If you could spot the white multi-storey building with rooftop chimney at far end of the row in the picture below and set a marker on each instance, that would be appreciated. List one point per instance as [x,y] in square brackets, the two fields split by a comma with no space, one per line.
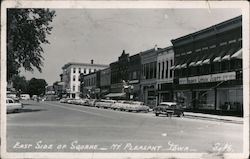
[71,76]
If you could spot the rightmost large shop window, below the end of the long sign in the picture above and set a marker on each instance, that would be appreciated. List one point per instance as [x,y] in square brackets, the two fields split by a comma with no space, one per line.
[230,99]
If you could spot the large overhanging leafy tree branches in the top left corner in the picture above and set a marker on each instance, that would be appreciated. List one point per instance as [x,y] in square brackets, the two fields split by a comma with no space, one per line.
[26,31]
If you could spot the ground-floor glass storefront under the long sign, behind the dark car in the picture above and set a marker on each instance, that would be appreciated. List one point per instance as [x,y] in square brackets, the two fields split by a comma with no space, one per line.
[221,97]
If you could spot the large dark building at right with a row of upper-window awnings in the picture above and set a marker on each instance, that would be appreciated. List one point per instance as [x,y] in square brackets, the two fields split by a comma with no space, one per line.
[208,69]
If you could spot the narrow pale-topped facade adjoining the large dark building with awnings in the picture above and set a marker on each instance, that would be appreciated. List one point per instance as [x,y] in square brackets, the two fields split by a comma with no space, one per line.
[165,74]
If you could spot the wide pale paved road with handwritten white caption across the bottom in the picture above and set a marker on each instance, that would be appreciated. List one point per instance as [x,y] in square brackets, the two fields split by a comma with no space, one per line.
[57,127]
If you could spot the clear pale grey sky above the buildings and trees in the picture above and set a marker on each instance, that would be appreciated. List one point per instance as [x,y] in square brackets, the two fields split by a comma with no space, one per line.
[80,35]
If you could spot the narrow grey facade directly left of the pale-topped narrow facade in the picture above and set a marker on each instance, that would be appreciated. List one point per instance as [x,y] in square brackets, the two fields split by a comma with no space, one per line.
[148,76]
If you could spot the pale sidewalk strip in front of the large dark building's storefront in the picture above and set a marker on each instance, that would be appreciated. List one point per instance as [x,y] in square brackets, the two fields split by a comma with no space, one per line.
[231,119]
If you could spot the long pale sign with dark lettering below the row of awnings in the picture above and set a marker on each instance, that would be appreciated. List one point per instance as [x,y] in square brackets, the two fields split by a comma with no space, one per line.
[209,78]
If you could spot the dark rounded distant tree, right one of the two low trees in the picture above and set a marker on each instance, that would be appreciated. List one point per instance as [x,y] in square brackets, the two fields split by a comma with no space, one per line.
[37,87]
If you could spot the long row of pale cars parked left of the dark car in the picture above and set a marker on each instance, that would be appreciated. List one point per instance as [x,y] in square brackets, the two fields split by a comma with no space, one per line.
[121,105]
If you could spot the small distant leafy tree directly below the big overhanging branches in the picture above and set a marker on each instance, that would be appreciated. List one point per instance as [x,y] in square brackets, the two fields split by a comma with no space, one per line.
[20,83]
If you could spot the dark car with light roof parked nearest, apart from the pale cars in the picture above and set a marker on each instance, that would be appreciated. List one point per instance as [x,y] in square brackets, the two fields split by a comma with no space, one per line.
[169,109]
